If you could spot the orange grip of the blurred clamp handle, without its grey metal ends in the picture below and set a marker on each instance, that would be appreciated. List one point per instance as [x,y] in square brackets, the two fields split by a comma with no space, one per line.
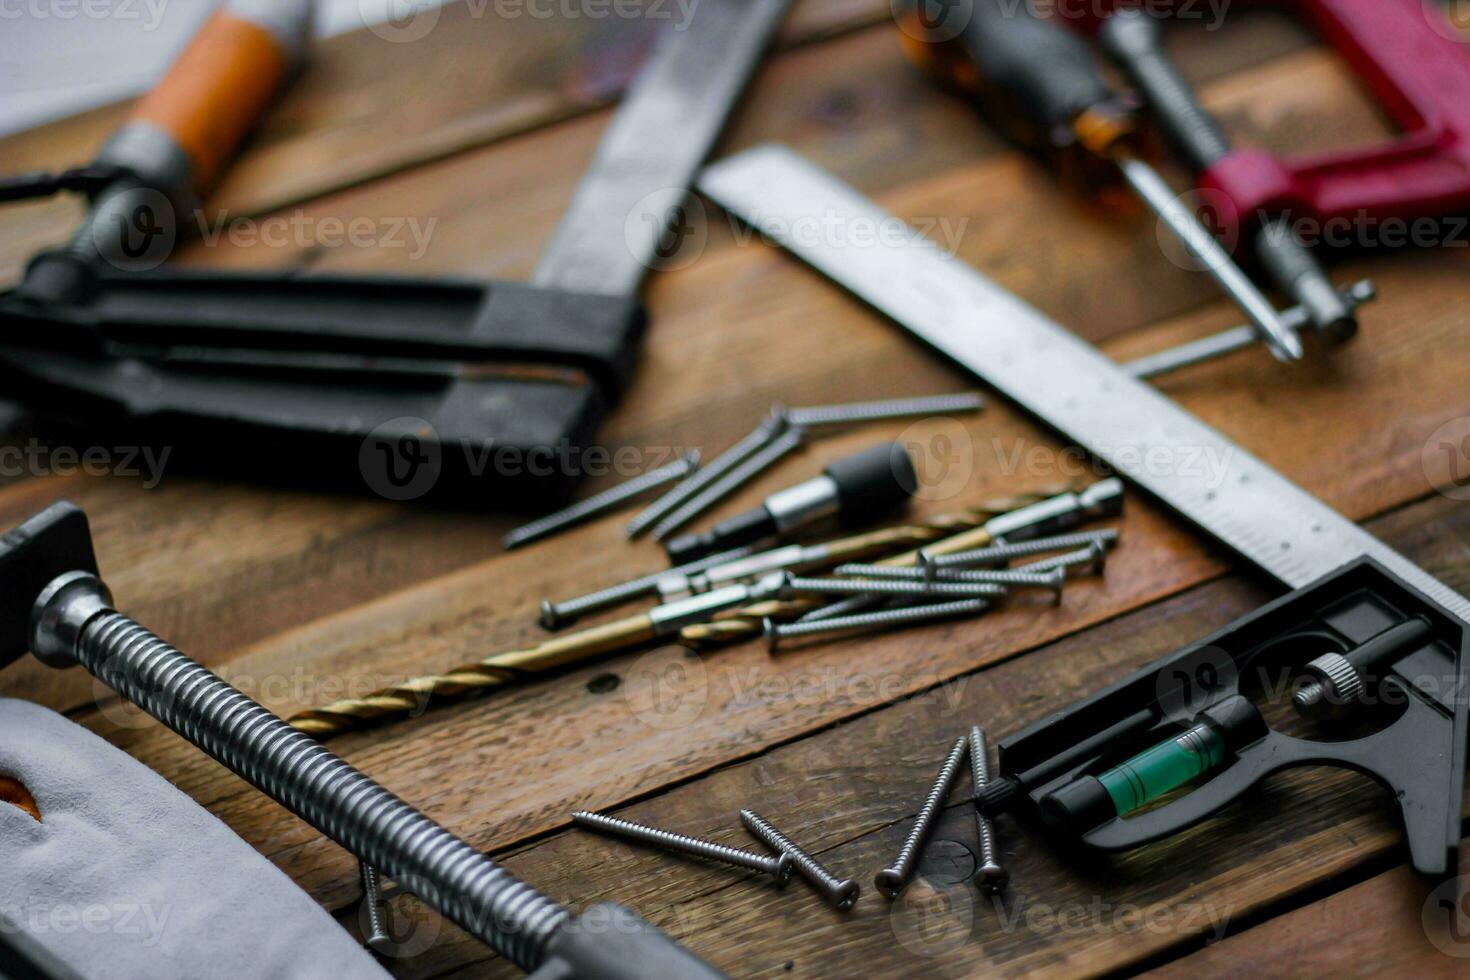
[220,87]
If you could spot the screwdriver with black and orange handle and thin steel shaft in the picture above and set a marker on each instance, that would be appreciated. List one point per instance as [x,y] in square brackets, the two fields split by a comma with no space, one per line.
[1041,86]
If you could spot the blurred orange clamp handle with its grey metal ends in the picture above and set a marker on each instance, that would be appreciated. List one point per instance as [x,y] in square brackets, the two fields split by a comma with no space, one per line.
[183,134]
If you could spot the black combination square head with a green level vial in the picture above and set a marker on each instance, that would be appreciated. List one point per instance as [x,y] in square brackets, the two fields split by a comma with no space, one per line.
[1102,771]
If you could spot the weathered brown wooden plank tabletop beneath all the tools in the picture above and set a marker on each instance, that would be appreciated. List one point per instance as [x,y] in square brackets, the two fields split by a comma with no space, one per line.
[478,133]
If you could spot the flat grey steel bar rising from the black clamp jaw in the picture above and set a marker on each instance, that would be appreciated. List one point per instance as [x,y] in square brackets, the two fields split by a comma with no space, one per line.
[675,109]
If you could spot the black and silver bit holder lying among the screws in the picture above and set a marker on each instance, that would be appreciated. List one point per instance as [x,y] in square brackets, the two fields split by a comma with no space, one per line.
[853,490]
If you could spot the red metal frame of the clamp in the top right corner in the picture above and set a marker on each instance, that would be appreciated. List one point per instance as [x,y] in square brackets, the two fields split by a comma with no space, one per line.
[1422,77]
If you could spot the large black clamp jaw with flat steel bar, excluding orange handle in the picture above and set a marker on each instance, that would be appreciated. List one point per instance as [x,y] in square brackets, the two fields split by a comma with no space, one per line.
[456,387]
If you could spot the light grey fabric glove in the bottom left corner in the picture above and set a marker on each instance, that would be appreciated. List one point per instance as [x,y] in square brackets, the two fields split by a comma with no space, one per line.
[124,876]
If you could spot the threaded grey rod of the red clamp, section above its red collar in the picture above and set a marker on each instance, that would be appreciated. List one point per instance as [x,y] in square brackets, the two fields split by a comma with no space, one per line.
[1134,40]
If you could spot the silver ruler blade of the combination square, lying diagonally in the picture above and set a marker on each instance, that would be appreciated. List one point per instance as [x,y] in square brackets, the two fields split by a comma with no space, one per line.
[1046,370]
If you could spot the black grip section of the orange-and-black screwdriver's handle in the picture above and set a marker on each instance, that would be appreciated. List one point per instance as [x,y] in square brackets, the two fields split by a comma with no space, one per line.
[1041,74]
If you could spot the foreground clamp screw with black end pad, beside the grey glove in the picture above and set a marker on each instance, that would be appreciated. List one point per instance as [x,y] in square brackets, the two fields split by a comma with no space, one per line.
[54,603]
